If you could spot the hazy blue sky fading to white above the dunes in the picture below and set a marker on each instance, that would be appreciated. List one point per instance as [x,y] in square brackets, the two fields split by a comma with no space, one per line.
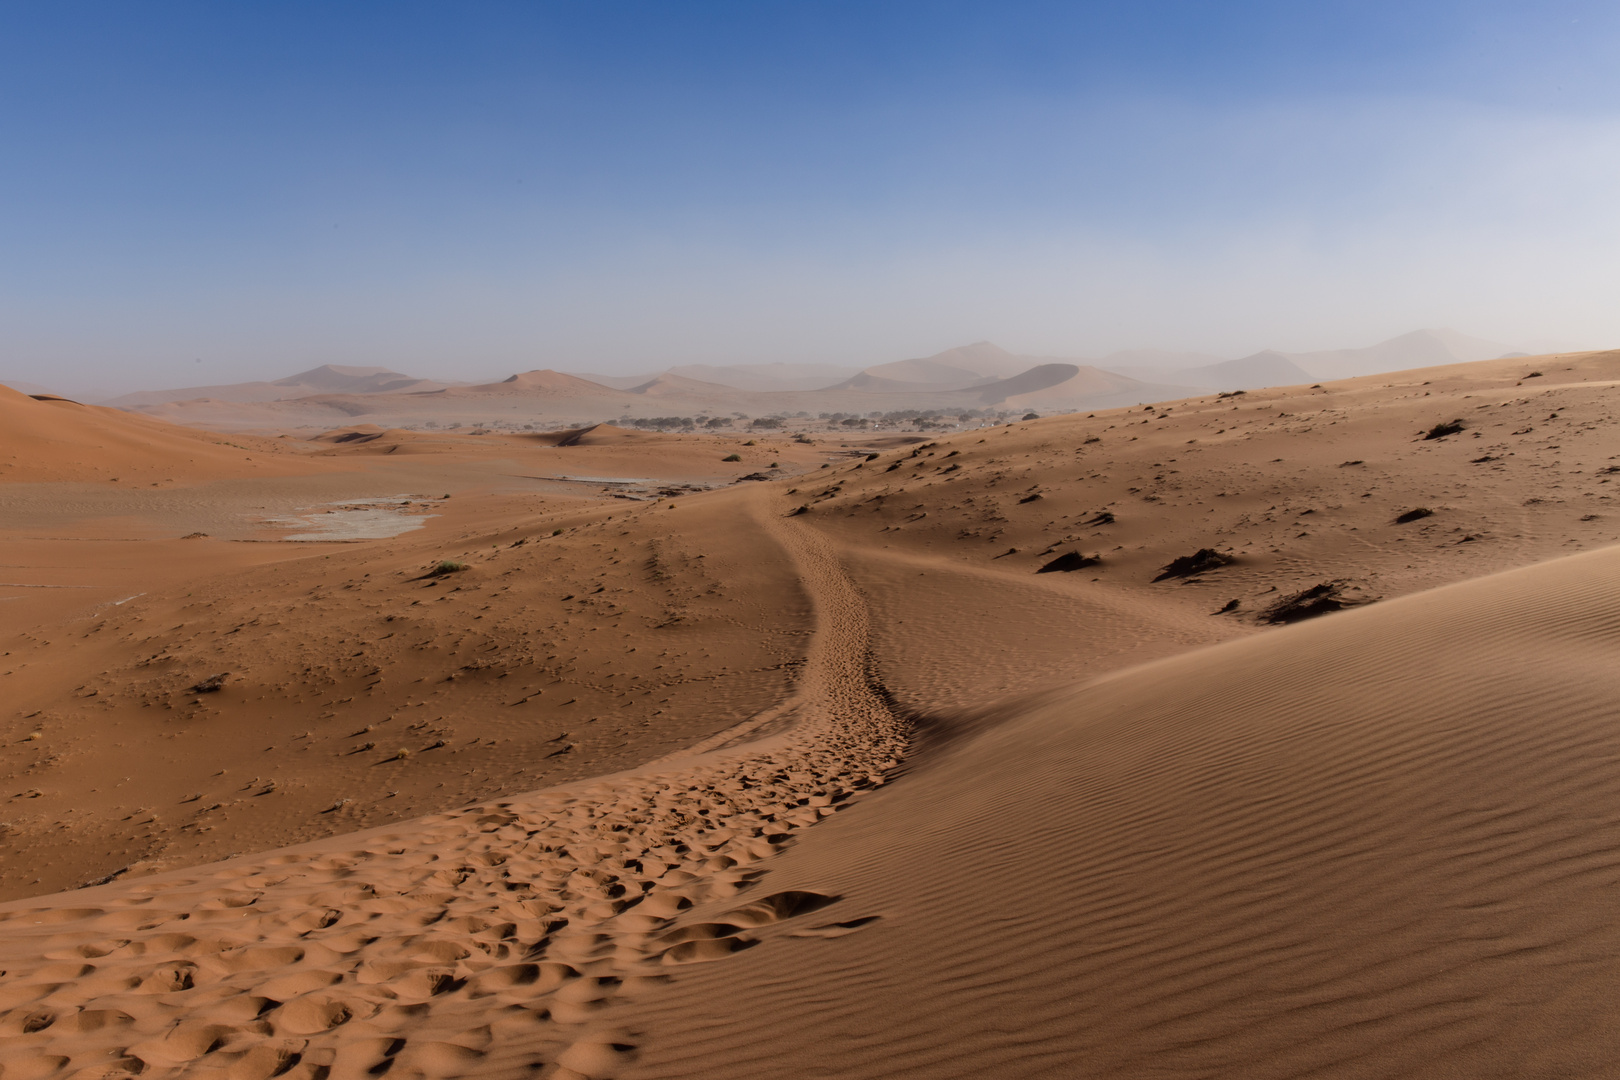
[216,192]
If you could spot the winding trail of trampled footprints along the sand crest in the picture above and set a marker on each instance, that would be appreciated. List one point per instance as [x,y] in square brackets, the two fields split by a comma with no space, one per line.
[484,942]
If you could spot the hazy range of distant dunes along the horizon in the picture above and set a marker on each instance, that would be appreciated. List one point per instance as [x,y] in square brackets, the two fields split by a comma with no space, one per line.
[965,378]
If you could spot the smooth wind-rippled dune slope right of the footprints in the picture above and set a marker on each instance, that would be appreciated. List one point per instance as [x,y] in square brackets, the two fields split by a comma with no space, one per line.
[1381,844]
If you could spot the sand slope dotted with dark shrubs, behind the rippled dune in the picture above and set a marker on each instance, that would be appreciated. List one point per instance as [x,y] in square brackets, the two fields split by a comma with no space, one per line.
[1298,485]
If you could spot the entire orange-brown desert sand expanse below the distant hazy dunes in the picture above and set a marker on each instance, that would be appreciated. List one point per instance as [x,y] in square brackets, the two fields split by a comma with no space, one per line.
[1247,736]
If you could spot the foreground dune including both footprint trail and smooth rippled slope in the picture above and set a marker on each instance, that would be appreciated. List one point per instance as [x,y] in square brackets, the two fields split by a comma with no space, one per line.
[1381,844]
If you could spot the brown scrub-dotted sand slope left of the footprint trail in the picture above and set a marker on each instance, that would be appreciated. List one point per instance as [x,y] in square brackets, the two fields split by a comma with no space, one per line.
[364,692]
